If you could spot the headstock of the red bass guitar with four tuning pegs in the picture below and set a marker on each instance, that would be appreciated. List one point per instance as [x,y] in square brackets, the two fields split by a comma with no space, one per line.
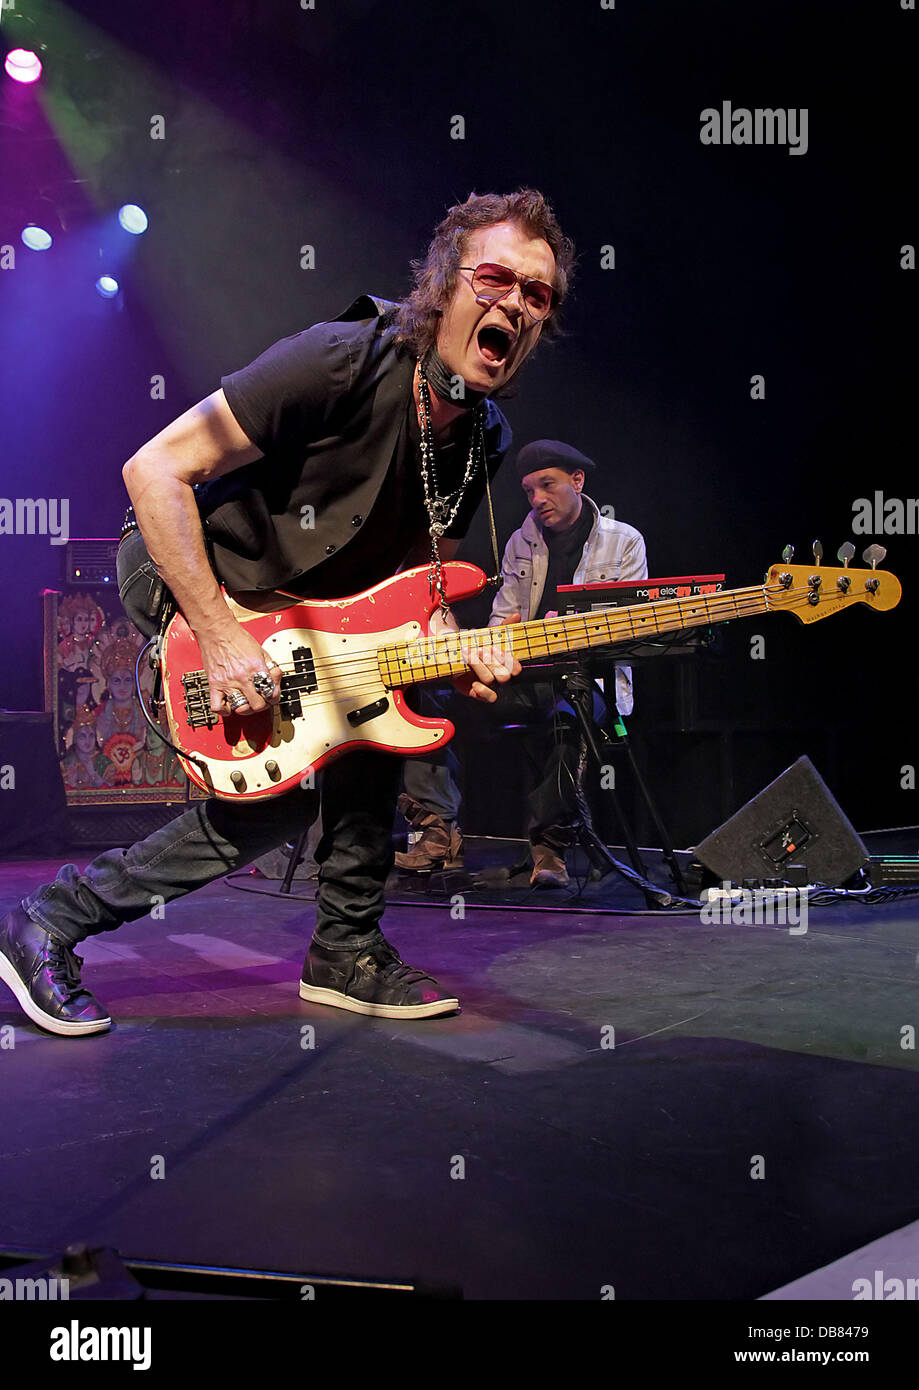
[814,591]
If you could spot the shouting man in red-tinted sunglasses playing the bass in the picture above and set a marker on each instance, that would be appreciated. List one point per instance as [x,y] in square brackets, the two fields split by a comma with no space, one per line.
[377,430]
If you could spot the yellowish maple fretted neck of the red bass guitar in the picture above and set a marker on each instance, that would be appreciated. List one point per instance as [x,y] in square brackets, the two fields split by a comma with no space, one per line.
[433,658]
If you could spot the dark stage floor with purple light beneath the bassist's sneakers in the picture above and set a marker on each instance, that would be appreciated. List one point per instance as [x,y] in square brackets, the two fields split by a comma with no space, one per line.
[738,1052]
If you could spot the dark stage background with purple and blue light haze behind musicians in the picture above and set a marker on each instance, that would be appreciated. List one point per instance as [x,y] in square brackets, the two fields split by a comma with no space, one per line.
[333,129]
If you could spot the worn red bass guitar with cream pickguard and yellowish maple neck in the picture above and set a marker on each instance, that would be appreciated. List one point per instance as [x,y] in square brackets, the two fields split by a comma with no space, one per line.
[348,662]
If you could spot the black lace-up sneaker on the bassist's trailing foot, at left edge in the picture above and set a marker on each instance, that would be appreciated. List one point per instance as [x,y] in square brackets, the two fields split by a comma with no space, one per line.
[44,974]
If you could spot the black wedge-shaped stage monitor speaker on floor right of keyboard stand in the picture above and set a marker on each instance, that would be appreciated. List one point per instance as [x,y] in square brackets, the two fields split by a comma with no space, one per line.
[795,821]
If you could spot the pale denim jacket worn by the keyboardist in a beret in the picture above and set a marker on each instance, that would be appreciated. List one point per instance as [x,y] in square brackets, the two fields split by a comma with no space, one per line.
[612,551]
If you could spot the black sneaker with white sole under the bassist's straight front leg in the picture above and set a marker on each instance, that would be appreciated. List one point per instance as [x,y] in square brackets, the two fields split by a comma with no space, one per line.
[372,981]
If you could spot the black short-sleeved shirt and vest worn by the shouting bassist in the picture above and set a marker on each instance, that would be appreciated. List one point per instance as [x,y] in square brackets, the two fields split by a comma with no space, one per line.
[336,502]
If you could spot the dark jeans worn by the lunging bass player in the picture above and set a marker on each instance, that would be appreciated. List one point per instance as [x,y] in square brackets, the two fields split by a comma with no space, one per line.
[357,796]
